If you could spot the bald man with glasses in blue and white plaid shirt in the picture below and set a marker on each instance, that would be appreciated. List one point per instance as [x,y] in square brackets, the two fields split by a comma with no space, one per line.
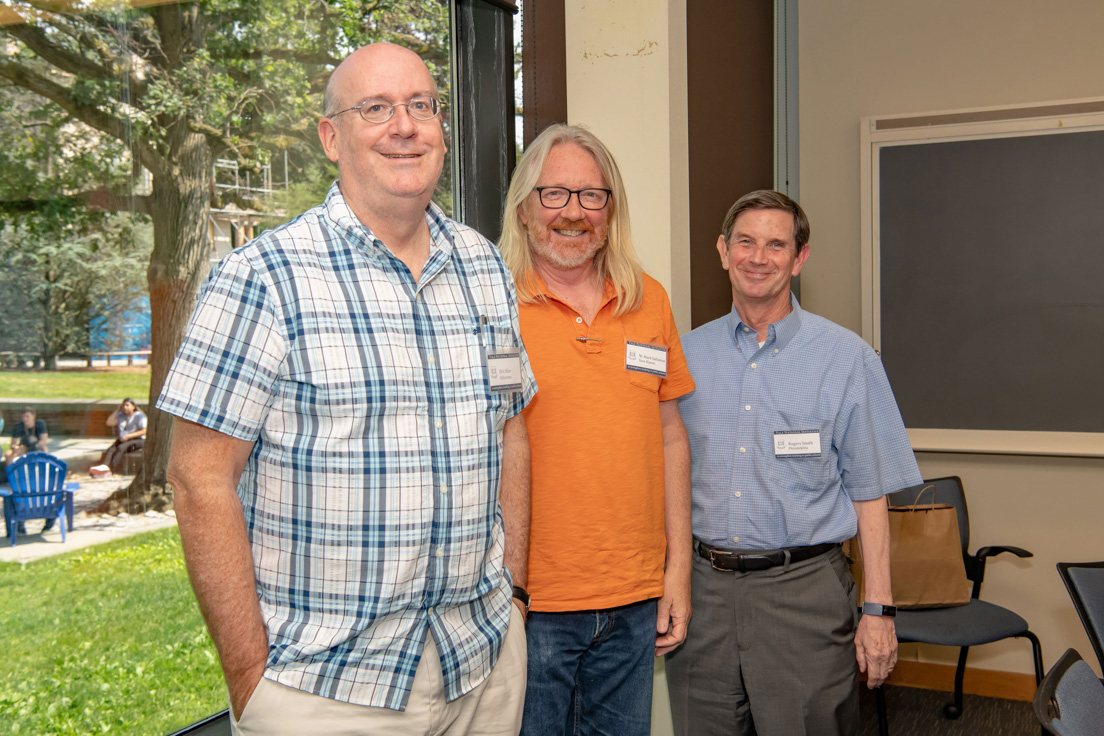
[349,463]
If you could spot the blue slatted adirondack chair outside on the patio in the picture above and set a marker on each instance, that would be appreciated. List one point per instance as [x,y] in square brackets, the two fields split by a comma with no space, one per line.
[38,492]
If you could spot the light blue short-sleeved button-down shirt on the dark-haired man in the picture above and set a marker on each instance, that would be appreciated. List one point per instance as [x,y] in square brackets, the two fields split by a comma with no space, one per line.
[811,377]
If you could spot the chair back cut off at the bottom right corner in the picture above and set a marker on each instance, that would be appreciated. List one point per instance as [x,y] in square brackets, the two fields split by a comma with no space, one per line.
[1070,700]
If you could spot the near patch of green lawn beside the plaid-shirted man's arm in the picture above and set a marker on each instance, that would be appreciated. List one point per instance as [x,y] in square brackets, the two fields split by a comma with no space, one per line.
[105,641]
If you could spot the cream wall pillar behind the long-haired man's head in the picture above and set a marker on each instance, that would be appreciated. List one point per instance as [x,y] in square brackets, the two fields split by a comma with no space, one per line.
[627,82]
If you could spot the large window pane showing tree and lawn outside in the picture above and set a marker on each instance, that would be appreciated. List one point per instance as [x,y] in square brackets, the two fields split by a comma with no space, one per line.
[141,142]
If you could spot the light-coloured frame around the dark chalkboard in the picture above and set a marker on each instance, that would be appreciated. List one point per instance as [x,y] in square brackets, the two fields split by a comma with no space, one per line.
[953,126]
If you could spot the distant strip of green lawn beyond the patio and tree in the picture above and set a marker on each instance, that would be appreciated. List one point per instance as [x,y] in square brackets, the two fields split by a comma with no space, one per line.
[103,383]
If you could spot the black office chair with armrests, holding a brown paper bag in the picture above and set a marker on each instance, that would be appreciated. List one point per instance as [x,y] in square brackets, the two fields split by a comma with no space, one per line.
[978,623]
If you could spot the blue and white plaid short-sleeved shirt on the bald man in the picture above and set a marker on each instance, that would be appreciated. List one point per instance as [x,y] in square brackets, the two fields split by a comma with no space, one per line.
[371,495]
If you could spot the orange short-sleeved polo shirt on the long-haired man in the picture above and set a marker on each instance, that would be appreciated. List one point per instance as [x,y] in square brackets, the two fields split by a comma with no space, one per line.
[597,537]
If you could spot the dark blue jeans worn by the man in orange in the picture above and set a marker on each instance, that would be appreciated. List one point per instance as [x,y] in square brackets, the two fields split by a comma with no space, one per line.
[590,673]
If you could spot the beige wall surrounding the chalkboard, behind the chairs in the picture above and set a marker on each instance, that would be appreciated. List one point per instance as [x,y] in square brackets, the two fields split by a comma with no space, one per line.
[862,58]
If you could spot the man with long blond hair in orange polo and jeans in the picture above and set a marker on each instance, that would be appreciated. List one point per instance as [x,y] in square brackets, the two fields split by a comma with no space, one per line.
[610,537]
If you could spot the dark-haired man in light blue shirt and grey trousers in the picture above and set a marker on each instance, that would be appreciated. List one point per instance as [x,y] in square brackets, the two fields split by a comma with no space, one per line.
[795,440]
